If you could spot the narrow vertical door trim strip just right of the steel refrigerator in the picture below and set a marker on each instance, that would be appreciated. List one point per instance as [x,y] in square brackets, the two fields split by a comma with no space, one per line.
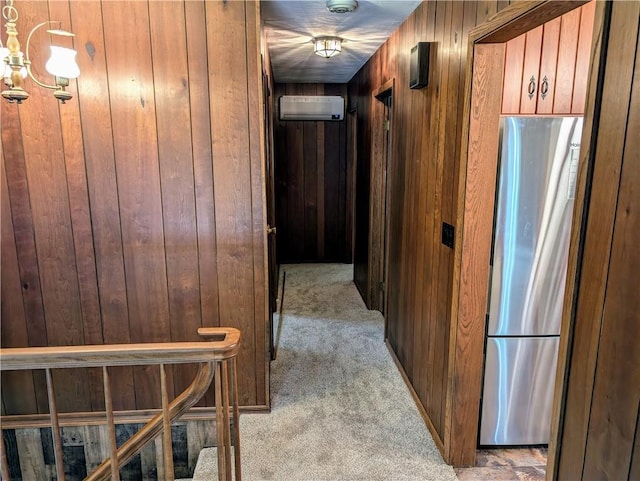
[589,133]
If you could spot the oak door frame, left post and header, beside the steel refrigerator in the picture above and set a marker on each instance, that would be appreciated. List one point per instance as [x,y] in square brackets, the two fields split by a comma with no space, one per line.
[466,361]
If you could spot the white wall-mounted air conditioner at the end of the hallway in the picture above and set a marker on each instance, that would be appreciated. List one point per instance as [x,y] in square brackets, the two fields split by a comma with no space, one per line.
[304,107]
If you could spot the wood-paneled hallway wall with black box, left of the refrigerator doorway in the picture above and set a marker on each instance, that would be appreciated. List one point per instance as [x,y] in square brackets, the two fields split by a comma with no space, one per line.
[423,184]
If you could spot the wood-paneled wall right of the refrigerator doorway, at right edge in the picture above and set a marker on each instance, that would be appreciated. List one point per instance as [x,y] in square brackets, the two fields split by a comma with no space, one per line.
[599,432]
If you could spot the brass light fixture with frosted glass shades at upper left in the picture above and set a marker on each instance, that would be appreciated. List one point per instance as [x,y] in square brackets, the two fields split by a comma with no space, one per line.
[62,64]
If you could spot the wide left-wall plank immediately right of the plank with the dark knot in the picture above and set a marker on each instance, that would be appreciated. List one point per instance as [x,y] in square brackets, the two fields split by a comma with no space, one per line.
[133,111]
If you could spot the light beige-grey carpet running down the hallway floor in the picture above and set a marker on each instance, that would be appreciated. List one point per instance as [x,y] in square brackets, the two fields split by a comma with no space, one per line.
[340,409]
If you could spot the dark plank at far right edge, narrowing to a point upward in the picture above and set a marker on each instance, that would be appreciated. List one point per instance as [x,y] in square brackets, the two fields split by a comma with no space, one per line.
[615,408]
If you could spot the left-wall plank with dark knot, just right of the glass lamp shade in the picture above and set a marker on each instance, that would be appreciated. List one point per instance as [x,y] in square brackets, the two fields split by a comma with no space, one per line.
[99,164]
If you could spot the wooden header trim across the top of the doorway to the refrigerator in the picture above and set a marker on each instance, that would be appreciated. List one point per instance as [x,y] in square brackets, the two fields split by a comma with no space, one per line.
[520,17]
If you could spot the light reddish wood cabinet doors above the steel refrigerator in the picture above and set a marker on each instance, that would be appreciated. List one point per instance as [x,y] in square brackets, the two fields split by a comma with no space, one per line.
[546,69]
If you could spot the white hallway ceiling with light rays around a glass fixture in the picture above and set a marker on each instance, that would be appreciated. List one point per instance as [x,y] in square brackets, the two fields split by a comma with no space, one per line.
[292,24]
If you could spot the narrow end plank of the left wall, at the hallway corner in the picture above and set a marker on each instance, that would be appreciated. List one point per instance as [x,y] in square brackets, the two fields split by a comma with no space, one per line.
[258,204]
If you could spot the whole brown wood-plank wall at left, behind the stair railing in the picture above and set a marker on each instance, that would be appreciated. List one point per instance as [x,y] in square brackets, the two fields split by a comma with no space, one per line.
[135,212]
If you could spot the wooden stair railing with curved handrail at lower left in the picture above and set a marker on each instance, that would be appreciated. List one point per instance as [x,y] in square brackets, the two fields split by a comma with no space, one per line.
[212,355]
